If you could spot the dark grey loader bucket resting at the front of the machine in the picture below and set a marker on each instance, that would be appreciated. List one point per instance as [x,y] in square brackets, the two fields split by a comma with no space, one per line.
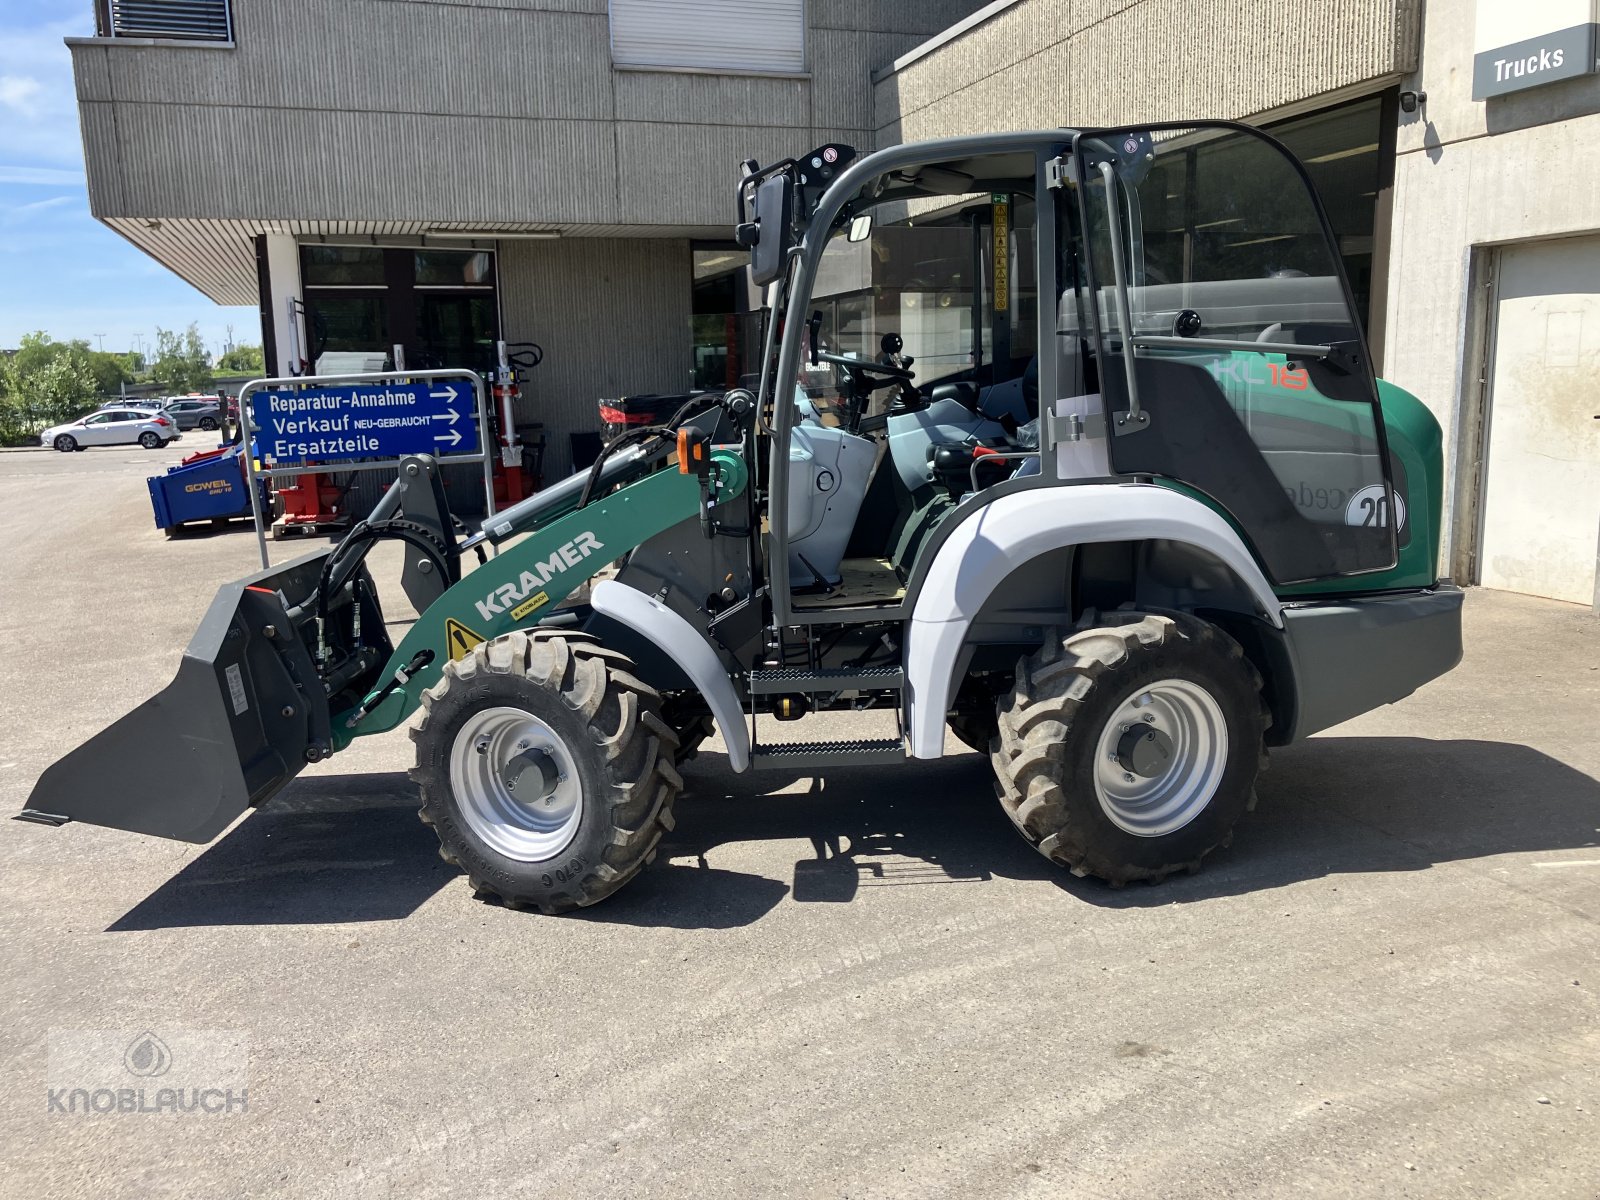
[246,713]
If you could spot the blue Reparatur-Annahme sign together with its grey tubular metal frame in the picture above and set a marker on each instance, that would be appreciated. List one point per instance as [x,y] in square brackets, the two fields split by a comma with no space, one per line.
[334,420]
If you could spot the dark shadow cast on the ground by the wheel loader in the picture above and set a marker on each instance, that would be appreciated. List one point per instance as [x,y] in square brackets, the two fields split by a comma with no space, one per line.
[350,849]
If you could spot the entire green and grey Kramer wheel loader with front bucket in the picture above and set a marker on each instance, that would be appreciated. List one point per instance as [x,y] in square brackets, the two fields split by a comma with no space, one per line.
[1065,442]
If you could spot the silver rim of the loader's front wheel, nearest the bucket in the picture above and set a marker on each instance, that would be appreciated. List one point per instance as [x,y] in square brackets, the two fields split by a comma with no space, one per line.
[484,764]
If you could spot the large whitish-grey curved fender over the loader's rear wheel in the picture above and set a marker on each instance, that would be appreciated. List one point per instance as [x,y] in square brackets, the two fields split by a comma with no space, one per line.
[1015,529]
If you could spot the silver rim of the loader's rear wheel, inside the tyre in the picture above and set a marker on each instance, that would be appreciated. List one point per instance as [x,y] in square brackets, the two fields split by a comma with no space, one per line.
[1190,730]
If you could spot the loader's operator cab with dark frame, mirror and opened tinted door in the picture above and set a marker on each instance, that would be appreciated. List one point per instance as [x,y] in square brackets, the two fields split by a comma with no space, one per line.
[1196,330]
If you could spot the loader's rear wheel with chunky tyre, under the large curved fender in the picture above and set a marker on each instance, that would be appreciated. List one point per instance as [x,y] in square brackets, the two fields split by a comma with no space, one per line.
[1132,750]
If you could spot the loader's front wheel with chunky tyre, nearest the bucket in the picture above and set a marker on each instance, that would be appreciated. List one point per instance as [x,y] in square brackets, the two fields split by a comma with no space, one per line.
[546,770]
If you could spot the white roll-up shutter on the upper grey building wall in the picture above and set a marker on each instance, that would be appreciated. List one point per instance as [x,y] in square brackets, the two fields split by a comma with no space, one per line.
[710,34]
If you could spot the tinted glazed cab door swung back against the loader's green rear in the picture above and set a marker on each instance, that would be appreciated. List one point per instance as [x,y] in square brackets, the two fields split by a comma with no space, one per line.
[1249,361]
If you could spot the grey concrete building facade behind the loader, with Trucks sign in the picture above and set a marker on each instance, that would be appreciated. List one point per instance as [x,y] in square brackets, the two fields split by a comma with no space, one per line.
[590,148]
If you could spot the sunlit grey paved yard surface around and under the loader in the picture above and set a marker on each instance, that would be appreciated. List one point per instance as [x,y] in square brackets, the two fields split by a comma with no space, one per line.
[1390,986]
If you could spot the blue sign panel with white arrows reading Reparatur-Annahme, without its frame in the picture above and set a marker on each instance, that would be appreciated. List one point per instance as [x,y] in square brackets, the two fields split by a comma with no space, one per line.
[324,425]
